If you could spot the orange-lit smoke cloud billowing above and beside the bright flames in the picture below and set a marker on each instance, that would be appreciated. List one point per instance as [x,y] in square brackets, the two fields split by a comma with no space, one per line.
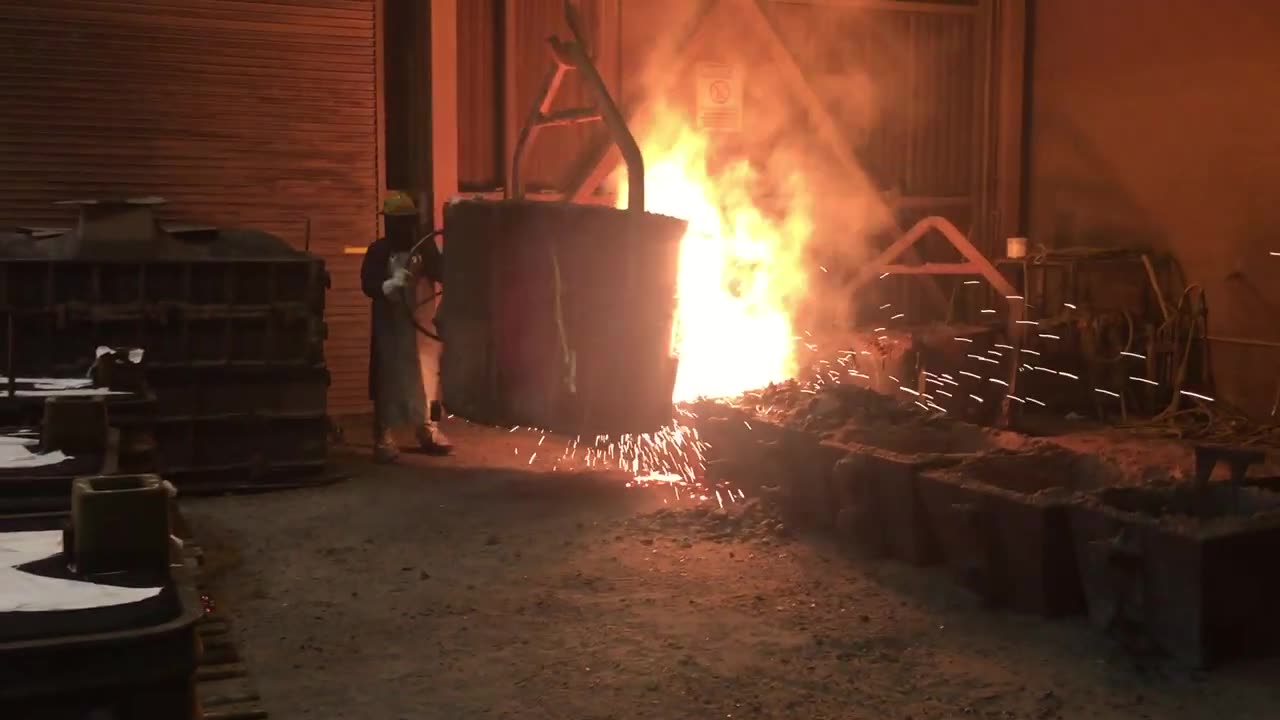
[830,217]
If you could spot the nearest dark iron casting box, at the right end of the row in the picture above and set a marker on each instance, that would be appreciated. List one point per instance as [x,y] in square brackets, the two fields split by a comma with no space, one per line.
[1201,587]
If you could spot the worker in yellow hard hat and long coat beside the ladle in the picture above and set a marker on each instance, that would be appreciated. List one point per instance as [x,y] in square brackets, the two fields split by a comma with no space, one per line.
[400,276]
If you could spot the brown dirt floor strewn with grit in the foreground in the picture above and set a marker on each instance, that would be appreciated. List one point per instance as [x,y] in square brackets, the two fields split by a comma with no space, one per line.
[488,586]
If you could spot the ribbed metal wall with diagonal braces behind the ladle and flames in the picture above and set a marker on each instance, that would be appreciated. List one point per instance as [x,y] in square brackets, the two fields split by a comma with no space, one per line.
[925,65]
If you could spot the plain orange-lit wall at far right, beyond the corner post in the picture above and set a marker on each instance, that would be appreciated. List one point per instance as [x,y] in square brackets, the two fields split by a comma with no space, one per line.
[1153,122]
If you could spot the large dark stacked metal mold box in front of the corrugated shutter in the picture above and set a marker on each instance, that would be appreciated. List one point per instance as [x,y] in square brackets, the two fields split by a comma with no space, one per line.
[231,325]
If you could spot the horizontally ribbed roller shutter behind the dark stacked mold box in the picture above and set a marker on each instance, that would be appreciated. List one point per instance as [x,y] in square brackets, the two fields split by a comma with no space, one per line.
[250,113]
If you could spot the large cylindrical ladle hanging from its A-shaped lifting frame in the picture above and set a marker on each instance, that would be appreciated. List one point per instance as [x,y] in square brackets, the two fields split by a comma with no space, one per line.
[561,316]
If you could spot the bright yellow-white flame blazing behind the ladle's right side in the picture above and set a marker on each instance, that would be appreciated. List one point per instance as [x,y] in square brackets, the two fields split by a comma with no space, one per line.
[739,268]
